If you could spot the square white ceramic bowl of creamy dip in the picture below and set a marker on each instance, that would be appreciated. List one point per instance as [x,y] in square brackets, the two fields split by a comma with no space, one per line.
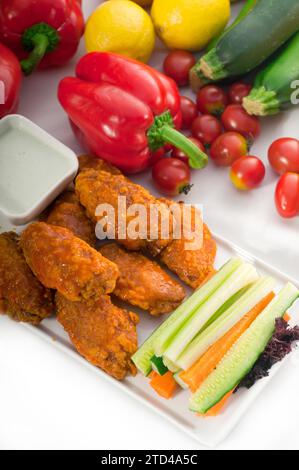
[34,169]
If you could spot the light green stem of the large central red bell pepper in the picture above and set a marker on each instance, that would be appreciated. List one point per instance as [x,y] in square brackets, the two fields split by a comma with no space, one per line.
[162,132]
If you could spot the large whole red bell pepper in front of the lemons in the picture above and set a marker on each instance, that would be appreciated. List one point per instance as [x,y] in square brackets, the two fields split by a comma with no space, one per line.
[123,111]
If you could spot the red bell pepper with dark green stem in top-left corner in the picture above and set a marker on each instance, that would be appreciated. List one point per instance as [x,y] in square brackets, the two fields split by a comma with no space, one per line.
[42,33]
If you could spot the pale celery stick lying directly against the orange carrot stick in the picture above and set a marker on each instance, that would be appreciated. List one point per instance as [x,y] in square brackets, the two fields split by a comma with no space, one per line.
[220,327]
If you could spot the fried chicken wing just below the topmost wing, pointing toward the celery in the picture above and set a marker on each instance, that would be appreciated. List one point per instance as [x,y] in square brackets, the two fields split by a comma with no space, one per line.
[143,282]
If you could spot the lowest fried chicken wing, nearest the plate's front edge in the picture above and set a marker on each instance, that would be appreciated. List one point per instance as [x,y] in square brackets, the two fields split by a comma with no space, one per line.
[101,332]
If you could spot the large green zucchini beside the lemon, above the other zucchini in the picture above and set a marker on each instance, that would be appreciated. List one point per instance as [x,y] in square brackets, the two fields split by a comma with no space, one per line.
[250,42]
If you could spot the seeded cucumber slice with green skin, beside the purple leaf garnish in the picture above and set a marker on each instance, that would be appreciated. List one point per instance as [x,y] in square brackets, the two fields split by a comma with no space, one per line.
[244,354]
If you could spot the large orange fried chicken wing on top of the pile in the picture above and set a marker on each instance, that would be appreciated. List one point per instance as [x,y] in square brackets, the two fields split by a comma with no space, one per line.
[98,187]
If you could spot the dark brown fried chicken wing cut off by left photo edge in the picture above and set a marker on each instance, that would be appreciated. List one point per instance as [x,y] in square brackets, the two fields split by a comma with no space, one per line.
[22,296]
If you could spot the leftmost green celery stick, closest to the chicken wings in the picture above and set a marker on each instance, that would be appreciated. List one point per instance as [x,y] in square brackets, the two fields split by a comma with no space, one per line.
[159,339]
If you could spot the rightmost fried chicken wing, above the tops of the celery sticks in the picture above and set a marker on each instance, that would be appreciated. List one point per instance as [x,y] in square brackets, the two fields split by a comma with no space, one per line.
[193,266]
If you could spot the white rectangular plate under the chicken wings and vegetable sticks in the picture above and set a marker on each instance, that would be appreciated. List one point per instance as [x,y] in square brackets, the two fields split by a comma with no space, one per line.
[207,431]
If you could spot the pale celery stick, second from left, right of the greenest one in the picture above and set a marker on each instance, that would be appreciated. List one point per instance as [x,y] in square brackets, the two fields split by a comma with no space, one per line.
[243,276]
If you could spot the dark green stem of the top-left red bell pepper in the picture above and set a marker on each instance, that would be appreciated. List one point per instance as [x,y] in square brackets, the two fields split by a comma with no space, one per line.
[38,40]
